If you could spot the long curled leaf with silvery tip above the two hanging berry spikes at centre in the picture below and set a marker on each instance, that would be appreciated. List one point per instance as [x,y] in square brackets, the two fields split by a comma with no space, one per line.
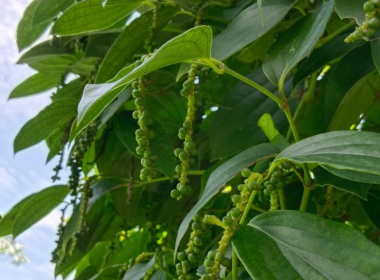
[193,44]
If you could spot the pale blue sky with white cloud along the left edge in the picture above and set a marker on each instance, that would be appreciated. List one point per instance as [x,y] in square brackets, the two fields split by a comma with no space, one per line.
[26,172]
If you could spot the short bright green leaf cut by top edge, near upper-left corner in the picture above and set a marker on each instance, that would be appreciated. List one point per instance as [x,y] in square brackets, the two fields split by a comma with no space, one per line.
[47,10]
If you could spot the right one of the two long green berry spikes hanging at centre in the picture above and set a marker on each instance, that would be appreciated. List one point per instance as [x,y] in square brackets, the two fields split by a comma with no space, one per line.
[185,133]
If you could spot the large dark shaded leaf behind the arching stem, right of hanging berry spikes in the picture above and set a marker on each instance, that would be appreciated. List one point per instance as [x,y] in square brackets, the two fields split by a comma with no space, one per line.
[243,106]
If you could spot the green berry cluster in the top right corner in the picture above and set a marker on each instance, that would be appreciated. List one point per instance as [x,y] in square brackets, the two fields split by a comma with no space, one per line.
[367,30]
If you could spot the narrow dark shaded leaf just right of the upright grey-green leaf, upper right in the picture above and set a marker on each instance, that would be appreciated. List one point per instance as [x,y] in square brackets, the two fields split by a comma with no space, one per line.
[323,55]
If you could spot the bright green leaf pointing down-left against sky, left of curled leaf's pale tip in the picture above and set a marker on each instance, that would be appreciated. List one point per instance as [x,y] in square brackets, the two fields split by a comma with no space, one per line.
[45,123]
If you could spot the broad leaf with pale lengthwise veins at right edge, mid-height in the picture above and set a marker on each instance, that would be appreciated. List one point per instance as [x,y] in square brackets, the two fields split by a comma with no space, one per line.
[352,150]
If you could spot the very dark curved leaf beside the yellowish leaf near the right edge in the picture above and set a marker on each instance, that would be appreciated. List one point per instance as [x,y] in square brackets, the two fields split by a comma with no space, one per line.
[355,65]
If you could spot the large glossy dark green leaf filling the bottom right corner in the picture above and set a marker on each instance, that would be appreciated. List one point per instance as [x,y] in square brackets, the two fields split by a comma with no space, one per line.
[300,245]
